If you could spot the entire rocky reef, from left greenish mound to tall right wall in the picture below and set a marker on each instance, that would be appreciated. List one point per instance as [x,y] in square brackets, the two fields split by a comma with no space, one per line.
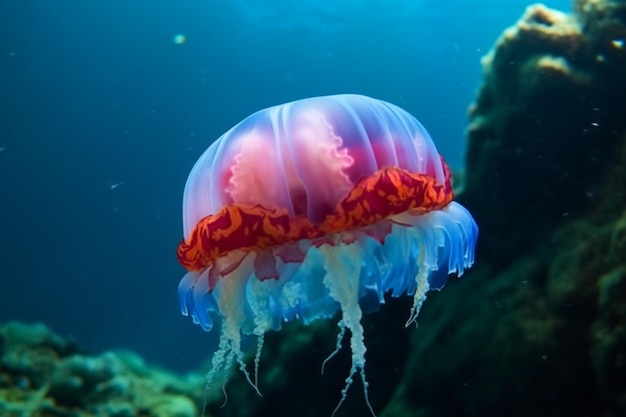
[537,328]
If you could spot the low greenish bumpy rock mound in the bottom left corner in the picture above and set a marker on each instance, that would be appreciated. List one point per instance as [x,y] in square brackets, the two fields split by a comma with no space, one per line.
[42,374]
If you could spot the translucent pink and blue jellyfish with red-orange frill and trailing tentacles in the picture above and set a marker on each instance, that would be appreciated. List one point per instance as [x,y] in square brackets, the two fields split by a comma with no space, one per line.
[312,208]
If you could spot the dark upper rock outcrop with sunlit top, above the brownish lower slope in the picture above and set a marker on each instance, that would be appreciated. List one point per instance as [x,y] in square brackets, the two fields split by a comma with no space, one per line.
[545,123]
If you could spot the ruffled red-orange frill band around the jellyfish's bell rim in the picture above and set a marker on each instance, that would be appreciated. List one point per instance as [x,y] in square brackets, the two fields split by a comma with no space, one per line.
[388,192]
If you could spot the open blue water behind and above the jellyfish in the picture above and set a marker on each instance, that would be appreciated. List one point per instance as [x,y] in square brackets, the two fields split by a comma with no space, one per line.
[103,114]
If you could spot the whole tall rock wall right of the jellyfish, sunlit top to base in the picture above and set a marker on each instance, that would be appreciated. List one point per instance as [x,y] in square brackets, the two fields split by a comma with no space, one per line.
[539,327]
